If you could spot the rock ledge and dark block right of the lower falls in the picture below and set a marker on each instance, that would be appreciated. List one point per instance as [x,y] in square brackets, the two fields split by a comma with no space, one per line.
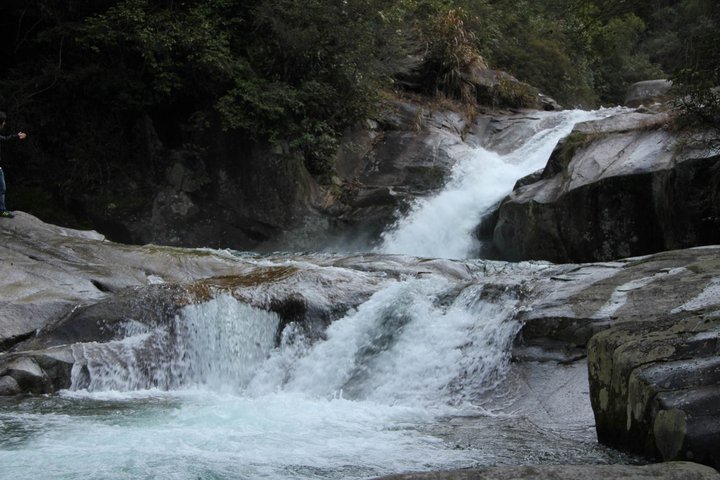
[651,326]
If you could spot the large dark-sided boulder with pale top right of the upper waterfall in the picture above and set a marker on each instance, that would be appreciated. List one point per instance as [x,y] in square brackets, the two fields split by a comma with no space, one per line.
[614,188]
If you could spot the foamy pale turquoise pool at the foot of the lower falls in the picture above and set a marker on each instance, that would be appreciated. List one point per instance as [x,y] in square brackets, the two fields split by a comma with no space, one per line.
[194,434]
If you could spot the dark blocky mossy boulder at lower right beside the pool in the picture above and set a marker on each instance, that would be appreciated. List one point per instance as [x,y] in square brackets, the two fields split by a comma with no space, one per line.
[655,374]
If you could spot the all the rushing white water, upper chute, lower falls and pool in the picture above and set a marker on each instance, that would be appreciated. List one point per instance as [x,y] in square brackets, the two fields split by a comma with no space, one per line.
[418,377]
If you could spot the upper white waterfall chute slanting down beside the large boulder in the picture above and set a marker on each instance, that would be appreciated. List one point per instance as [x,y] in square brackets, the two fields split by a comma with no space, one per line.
[442,226]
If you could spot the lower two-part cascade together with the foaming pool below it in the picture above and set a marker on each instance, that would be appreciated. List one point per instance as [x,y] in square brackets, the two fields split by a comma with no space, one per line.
[211,396]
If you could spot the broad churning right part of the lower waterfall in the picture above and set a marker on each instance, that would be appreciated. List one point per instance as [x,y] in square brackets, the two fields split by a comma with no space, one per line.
[404,346]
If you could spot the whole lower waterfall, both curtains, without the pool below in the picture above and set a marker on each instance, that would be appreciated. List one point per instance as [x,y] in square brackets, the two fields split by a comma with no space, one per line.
[407,344]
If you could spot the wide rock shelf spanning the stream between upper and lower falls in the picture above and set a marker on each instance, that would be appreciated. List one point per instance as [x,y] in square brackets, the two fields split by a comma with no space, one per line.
[648,328]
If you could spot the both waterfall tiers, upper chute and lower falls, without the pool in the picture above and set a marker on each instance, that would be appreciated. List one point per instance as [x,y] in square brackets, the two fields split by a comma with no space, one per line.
[405,344]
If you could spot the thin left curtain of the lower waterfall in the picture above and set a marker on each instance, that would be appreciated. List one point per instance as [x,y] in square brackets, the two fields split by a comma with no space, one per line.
[217,345]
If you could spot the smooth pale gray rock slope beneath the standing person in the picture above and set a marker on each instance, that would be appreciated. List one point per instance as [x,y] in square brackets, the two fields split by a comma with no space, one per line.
[47,271]
